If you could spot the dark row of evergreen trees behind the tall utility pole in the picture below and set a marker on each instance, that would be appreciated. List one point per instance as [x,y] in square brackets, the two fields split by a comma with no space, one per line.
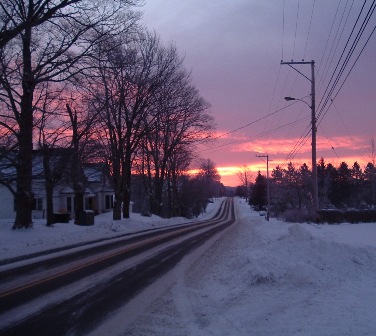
[339,187]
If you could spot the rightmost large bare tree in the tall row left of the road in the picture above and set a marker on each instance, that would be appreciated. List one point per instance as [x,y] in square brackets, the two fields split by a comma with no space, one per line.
[181,119]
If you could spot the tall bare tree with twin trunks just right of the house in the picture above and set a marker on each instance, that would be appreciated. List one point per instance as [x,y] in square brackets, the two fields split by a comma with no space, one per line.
[132,76]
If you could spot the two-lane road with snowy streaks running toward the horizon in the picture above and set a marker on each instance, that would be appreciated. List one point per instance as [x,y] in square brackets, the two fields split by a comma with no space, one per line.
[72,291]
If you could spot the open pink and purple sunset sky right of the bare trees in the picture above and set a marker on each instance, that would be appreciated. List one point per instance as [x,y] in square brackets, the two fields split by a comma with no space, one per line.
[234,51]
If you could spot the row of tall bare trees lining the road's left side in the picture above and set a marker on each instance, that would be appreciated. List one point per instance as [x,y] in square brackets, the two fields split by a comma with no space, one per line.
[85,75]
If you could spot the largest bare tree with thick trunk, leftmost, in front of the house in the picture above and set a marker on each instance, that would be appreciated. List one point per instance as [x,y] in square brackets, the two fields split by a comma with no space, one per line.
[44,41]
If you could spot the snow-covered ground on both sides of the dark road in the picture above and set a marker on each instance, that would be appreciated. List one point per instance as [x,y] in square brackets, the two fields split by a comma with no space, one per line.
[257,278]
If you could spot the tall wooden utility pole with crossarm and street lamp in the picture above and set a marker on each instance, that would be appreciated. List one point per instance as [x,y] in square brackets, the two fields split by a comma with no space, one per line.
[314,129]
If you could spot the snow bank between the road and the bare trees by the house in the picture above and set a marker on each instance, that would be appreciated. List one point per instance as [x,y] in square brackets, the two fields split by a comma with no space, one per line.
[40,237]
